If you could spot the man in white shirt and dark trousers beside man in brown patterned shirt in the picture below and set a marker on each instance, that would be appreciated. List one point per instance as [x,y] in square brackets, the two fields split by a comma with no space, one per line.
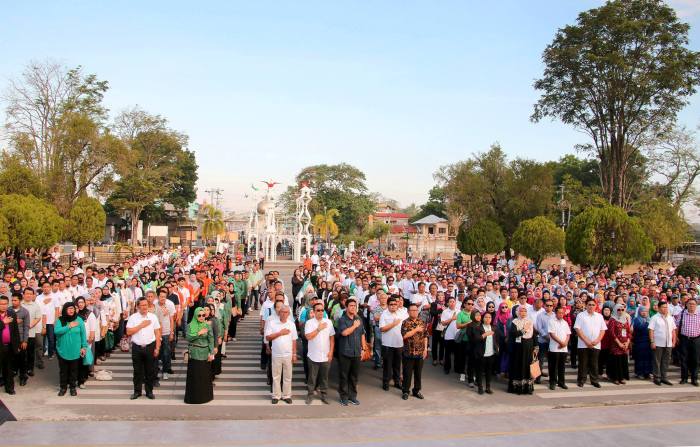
[392,342]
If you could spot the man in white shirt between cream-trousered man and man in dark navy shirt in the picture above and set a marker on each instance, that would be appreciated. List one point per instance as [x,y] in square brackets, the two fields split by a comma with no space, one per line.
[319,332]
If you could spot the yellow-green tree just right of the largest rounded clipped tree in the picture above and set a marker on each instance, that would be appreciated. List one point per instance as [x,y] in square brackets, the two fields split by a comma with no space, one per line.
[663,223]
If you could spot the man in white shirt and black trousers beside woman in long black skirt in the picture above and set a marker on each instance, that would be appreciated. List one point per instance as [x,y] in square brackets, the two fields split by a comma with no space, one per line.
[144,329]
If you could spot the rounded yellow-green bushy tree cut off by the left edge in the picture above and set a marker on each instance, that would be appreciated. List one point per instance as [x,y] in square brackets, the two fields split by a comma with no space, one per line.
[28,222]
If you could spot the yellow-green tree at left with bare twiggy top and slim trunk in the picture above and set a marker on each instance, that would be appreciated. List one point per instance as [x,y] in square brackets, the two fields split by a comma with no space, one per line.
[150,166]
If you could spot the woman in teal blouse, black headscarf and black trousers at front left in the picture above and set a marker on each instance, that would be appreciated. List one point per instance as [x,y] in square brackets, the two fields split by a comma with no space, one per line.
[71,344]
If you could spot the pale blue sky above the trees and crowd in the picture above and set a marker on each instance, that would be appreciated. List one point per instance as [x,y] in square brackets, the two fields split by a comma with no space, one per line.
[264,89]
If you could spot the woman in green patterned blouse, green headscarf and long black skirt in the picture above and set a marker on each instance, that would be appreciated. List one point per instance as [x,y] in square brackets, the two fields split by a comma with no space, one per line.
[199,388]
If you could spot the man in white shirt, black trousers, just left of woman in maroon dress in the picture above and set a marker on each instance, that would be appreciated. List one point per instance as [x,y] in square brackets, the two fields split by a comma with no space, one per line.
[590,327]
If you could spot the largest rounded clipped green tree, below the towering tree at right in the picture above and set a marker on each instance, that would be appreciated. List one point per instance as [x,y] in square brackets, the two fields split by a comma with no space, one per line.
[607,237]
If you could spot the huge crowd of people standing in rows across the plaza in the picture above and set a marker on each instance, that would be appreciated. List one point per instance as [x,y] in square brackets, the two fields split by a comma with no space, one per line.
[483,322]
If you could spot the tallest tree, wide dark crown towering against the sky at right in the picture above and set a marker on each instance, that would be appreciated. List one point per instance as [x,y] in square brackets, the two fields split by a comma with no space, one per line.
[620,74]
